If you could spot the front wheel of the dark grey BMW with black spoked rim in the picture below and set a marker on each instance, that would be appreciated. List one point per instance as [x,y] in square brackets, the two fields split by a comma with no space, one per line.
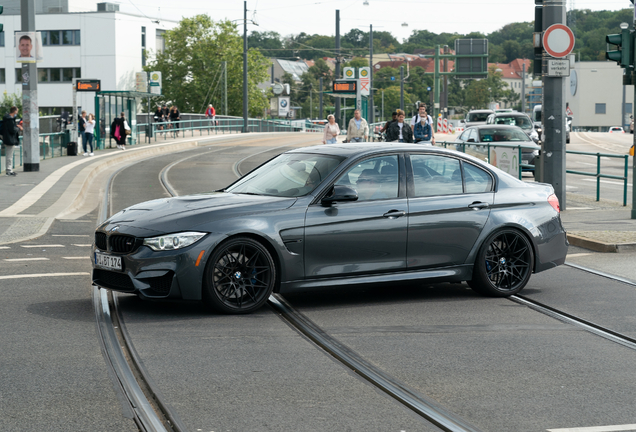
[239,277]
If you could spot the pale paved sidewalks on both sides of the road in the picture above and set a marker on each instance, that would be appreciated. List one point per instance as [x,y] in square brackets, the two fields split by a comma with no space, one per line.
[70,187]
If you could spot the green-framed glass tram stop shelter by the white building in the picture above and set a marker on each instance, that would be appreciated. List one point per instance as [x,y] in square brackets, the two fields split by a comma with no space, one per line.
[108,106]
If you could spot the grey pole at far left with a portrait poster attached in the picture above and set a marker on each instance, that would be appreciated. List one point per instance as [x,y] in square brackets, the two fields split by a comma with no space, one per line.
[30,112]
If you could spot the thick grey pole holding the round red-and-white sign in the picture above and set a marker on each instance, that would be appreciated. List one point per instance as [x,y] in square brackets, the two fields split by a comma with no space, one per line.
[553,111]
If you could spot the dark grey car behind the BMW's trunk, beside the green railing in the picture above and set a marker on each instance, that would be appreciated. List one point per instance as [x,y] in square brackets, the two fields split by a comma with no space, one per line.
[498,134]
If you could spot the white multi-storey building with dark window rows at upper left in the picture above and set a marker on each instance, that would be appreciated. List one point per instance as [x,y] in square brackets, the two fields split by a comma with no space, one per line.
[82,39]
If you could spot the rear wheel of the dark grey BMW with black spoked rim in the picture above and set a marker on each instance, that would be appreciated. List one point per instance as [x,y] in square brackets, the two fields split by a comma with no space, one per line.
[504,264]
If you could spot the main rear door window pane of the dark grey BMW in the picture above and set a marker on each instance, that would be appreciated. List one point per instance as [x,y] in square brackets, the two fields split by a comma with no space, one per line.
[436,175]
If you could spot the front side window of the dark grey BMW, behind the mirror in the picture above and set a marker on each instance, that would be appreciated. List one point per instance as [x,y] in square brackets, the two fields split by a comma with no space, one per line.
[373,179]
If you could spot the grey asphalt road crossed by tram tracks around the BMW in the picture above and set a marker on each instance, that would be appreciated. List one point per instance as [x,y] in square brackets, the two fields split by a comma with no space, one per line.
[498,365]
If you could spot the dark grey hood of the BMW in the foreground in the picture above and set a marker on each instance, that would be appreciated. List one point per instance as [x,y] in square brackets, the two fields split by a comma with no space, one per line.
[168,215]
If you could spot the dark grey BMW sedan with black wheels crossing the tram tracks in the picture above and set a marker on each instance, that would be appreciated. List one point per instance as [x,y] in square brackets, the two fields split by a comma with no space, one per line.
[332,216]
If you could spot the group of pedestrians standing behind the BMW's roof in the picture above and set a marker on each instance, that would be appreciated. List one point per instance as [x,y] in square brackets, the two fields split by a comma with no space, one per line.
[419,131]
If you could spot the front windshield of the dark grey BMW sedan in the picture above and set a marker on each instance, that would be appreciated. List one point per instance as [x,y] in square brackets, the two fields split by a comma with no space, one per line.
[287,175]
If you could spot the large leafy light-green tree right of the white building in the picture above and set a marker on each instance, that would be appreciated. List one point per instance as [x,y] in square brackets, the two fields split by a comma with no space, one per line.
[191,66]
